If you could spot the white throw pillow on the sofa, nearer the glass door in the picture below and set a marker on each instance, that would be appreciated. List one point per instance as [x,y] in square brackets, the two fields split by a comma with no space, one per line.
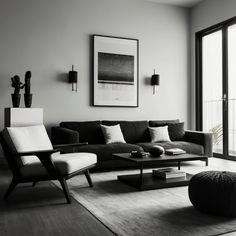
[159,134]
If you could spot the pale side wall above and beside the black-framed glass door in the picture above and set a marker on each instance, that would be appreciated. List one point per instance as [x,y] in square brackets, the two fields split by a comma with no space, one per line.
[206,14]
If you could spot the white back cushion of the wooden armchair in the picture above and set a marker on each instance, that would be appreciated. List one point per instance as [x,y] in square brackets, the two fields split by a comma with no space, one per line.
[30,138]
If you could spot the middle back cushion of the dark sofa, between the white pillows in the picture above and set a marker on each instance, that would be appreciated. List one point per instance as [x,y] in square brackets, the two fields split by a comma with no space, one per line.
[133,131]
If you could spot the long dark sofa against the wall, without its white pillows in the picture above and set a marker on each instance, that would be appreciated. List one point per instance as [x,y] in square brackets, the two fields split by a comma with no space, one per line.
[136,135]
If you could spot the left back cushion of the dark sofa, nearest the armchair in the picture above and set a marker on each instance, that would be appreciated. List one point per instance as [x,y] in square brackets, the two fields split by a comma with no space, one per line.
[89,131]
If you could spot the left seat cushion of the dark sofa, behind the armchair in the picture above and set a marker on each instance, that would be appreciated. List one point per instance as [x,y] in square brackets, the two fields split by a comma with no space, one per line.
[104,151]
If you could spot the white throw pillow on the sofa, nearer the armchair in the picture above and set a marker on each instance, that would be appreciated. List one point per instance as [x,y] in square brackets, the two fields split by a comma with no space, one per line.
[112,134]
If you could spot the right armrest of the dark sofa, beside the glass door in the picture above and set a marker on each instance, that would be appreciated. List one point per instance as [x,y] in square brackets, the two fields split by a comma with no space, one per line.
[202,138]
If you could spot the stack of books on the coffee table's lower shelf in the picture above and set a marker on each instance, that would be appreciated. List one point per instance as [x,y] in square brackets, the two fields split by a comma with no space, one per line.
[168,173]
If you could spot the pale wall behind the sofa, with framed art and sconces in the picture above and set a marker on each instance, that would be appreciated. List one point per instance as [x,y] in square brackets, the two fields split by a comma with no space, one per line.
[47,37]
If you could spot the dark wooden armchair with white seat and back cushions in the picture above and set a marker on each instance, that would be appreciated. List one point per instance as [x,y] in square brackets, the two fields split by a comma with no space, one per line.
[32,158]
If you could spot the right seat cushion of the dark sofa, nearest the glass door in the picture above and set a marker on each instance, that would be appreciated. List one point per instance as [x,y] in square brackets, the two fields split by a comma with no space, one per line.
[187,146]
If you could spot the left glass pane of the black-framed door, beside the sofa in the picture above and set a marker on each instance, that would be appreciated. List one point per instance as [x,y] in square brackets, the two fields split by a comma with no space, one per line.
[212,87]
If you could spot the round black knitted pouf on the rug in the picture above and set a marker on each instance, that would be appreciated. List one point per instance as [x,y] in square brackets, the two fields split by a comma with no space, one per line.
[214,192]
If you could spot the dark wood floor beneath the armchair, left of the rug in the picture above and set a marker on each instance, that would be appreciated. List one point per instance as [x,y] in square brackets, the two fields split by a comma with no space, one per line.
[41,210]
